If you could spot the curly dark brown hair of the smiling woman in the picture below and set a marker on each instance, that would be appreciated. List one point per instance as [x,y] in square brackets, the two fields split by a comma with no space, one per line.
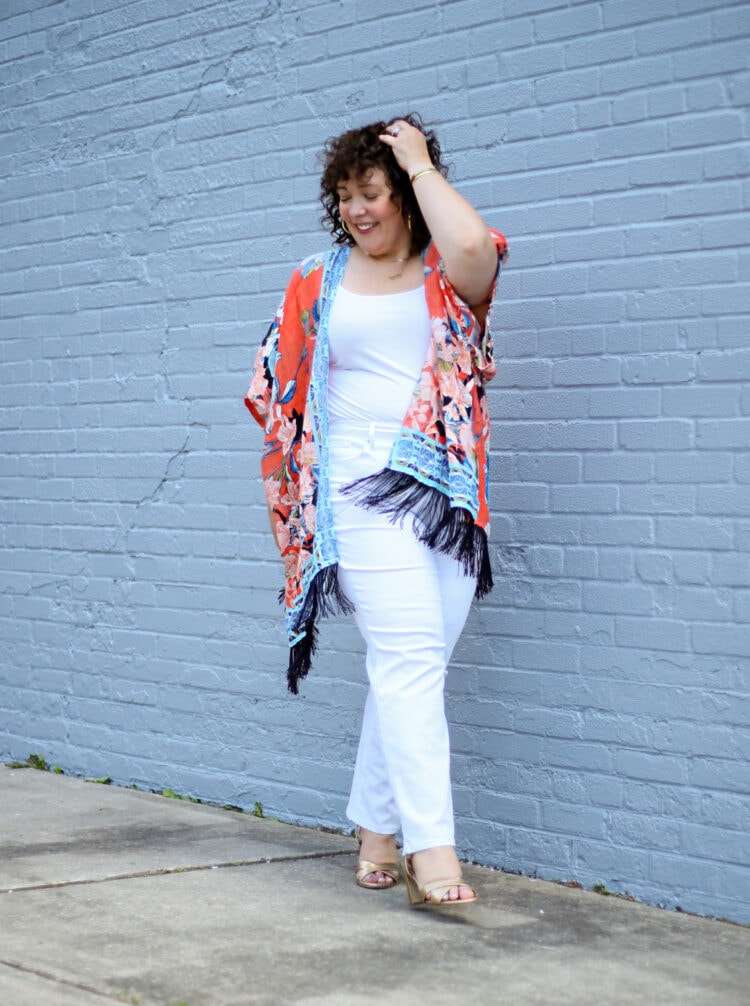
[360,150]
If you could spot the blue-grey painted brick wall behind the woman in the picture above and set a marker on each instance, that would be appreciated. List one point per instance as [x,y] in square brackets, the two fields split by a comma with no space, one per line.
[159,182]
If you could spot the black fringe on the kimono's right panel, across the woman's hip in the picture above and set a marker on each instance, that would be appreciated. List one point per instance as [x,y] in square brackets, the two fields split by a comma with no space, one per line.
[447,530]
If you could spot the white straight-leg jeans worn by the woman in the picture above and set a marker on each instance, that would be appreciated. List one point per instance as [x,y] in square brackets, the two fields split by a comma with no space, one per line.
[411,606]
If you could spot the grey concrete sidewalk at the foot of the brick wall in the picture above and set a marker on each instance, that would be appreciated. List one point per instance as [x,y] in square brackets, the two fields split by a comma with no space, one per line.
[114,896]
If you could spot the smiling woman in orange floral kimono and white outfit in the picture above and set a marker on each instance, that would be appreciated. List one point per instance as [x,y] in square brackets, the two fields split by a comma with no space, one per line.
[370,388]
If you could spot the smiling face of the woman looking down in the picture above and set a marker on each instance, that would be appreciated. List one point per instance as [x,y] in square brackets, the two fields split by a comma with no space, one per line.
[373,218]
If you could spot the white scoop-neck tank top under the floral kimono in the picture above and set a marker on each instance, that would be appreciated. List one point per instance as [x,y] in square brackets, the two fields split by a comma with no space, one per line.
[378,349]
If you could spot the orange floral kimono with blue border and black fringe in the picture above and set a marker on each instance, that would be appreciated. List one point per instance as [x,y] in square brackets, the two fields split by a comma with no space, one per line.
[438,472]
